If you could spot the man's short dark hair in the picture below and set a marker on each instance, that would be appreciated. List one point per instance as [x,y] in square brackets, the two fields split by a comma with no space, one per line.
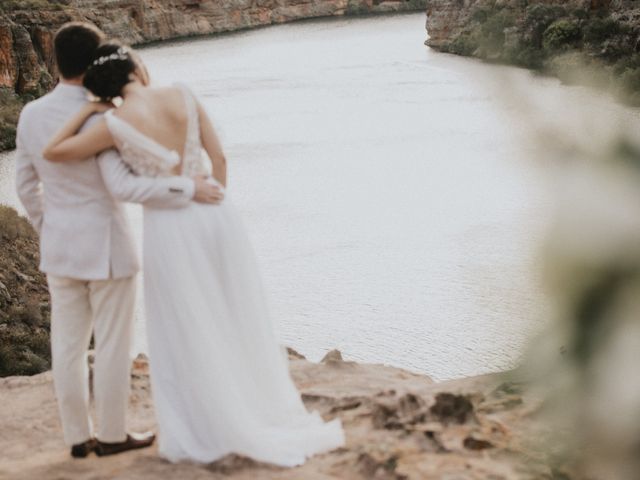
[75,44]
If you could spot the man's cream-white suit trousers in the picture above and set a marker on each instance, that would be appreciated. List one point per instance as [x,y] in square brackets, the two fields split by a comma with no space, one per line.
[78,308]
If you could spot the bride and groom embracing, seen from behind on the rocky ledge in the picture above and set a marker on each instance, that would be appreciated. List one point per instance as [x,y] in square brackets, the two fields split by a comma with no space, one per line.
[220,379]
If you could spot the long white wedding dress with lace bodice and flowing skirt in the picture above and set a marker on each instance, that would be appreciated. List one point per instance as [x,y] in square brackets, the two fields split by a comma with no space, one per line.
[220,380]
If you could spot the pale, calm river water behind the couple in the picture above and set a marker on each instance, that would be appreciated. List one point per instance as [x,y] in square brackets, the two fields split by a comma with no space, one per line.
[394,203]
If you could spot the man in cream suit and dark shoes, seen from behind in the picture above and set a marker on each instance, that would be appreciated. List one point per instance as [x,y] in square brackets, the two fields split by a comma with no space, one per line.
[88,253]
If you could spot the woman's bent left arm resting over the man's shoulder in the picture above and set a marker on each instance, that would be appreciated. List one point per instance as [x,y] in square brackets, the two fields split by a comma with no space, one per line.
[70,144]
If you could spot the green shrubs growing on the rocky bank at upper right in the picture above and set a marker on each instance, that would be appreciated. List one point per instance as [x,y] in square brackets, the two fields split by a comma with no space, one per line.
[577,45]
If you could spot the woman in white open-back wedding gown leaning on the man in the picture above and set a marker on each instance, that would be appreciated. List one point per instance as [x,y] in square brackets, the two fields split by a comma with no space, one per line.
[220,380]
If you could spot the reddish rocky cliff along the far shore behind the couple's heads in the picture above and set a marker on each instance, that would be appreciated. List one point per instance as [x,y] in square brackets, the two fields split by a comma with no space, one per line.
[27,28]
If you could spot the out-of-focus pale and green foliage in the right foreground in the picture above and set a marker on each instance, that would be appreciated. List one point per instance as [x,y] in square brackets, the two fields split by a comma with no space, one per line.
[586,364]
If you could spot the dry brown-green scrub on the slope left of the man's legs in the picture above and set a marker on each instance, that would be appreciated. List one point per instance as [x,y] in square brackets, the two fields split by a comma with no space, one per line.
[24,301]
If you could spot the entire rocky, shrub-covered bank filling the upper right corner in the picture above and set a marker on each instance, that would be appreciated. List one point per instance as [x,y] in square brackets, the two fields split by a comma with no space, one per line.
[594,43]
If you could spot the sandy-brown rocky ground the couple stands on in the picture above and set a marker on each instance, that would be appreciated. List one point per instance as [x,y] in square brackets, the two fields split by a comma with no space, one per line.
[399,425]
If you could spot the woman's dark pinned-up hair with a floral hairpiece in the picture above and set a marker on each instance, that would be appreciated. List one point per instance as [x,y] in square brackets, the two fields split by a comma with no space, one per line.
[110,70]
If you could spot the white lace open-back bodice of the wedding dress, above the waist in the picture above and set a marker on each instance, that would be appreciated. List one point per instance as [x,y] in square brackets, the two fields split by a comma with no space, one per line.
[149,158]
